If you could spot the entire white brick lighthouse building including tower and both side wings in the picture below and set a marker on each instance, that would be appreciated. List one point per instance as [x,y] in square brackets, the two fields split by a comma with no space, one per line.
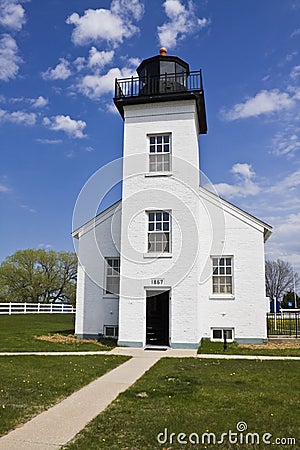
[171,263]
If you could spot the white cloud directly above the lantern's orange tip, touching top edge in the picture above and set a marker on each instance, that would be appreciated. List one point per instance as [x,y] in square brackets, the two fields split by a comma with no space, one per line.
[182,22]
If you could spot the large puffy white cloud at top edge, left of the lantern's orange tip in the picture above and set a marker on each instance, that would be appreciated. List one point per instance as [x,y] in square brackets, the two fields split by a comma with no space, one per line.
[110,25]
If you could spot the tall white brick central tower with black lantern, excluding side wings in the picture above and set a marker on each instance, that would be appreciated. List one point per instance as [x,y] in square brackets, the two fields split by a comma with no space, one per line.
[163,113]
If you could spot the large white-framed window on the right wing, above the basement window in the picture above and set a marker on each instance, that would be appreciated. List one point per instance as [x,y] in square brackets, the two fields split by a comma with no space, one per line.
[222,275]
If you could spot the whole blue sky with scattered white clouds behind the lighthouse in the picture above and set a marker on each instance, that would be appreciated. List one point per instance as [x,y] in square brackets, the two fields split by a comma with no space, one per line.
[58,125]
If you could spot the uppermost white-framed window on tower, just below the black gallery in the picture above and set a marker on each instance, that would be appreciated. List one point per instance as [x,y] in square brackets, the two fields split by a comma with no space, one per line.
[160,153]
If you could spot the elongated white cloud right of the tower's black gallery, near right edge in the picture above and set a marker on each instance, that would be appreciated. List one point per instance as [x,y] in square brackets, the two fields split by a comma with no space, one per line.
[264,102]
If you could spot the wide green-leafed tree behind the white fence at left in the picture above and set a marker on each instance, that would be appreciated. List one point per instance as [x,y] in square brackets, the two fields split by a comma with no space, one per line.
[38,276]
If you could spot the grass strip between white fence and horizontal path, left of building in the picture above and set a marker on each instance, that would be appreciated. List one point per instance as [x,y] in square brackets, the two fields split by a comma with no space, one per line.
[18,332]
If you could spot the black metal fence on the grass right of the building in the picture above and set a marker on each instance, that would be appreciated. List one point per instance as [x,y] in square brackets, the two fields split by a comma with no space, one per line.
[284,324]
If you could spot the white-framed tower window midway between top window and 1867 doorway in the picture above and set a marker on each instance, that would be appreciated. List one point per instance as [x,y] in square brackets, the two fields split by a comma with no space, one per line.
[159,232]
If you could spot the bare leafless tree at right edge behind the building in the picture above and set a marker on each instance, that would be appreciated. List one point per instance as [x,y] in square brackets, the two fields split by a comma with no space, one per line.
[280,278]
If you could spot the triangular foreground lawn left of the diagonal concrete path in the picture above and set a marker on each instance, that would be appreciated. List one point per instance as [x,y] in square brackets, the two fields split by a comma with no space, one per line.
[31,384]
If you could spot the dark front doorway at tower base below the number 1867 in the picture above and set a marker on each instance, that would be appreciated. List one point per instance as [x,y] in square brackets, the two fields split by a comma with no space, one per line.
[157,319]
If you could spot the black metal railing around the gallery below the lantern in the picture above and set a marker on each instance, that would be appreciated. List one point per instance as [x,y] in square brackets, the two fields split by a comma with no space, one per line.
[173,83]
